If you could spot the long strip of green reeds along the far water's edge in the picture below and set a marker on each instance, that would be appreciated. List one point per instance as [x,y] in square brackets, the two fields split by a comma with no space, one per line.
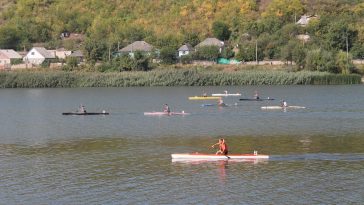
[174,77]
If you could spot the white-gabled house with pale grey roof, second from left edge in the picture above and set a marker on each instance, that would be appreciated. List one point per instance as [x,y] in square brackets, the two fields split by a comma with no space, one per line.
[38,55]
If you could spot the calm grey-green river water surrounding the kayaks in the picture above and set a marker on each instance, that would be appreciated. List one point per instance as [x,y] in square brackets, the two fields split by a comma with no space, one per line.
[316,154]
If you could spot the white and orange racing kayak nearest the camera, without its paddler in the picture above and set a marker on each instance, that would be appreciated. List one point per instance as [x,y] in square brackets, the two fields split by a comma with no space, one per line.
[201,156]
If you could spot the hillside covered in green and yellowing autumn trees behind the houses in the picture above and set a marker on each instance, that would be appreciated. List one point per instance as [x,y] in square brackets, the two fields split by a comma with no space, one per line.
[108,24]
